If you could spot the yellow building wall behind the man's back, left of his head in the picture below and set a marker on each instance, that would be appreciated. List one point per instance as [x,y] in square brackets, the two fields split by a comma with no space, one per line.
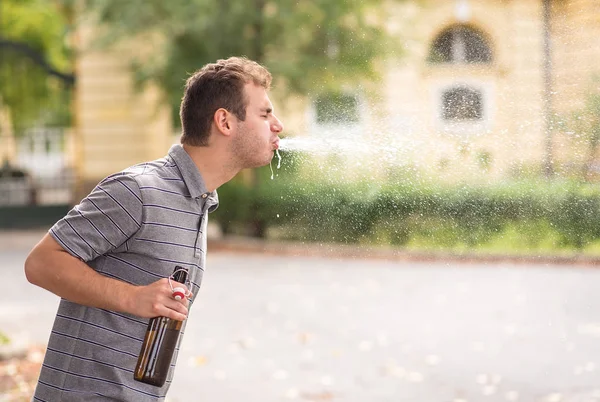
[116,125]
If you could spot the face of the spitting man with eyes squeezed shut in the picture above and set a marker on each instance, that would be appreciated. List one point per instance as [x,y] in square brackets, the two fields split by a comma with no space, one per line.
[256,138]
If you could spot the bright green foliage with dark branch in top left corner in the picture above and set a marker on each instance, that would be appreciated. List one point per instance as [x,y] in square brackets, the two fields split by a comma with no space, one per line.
[31,95]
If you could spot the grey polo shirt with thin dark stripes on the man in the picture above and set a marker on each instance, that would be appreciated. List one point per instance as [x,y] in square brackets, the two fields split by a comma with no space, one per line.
[135,226]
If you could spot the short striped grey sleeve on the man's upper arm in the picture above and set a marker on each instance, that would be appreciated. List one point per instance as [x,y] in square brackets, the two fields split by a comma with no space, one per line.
[103,221]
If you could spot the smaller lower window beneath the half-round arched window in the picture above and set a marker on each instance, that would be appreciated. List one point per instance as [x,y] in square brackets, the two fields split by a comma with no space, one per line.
[462,104]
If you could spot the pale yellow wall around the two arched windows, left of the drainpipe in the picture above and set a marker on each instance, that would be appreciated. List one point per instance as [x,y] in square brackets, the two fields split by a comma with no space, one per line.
[513,84]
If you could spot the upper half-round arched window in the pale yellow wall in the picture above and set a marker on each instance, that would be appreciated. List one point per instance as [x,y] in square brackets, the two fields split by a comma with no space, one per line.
[460,44]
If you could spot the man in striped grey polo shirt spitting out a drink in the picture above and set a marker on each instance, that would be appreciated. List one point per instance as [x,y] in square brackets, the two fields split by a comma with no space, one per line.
[109,258]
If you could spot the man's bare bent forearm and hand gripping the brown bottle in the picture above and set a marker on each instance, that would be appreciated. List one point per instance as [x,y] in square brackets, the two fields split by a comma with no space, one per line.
[52,268]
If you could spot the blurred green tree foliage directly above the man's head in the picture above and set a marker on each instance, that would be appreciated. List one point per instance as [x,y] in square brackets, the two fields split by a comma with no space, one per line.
[309,45]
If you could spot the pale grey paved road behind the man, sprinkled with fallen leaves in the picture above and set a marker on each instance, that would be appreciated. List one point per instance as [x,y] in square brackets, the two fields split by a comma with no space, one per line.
[269,328]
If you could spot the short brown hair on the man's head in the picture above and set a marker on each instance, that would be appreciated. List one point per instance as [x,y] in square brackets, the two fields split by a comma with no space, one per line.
[217,85]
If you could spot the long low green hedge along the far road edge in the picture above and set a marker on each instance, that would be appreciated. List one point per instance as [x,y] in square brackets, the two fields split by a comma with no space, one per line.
[526,215]
